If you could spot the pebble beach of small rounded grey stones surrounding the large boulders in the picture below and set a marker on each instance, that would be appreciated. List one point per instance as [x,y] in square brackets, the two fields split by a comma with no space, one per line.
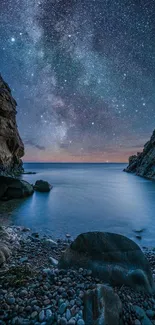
[34,291]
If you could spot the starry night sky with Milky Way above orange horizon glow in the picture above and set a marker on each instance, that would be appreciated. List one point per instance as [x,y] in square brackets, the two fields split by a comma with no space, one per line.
[83,75]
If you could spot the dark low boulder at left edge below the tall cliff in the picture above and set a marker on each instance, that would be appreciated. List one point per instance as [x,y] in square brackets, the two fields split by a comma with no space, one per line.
[13,188]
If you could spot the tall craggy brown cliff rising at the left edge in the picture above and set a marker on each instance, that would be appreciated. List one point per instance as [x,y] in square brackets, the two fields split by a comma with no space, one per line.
[11,145]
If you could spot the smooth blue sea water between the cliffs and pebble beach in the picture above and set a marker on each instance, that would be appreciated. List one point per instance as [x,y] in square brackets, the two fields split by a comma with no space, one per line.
[88,197]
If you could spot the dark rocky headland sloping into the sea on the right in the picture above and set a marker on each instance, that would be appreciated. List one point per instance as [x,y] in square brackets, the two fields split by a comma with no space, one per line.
[143,164]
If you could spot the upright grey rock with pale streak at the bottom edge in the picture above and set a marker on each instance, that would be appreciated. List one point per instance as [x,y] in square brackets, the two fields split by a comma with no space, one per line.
[102,306]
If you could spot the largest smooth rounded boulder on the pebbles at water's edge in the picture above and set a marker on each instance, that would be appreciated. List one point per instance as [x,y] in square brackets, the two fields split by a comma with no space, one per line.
[113,258]
